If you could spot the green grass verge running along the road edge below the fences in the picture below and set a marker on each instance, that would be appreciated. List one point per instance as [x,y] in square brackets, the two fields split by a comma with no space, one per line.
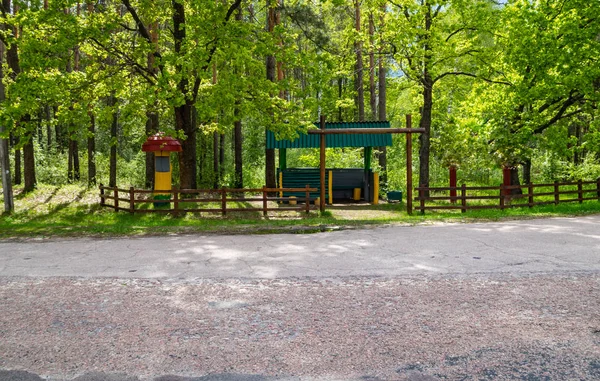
[74,210]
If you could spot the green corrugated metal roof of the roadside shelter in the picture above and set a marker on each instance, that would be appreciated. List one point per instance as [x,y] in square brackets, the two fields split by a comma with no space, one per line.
[336,141]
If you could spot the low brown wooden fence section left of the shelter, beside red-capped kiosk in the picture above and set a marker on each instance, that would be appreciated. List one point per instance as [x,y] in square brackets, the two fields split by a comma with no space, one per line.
[216,200]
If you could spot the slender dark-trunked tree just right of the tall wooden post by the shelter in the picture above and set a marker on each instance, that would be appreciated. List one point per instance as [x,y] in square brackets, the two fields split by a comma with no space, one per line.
[433,39]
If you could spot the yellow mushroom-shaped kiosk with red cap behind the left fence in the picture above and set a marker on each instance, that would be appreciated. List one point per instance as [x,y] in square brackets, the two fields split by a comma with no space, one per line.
[162,146]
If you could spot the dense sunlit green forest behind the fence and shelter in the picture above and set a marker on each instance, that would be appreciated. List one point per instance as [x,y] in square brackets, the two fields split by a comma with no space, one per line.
[495,84]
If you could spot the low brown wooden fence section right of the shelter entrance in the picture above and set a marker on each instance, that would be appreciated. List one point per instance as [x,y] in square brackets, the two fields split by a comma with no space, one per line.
[471,198]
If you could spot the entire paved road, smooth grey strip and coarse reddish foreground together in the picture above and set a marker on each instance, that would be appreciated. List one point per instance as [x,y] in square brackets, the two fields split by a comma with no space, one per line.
[489,301]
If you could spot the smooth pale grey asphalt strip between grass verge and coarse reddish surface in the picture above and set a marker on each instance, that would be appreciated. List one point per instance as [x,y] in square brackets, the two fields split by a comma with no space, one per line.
[546,245]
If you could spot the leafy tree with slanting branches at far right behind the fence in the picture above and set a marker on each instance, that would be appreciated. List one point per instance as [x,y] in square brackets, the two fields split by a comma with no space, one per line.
[551,56]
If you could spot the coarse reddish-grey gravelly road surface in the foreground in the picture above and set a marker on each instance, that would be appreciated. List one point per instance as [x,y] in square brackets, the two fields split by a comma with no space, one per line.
[537,327]
